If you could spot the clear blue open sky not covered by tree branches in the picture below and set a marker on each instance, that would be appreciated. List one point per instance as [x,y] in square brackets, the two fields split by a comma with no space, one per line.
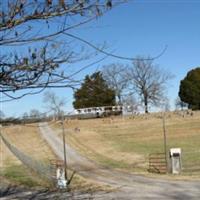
[137,28]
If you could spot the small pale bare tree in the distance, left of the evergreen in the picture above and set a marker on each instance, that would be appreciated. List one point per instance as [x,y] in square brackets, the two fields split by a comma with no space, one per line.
[54,103]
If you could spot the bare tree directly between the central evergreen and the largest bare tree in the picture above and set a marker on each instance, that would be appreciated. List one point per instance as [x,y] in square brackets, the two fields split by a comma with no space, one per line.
[115,76]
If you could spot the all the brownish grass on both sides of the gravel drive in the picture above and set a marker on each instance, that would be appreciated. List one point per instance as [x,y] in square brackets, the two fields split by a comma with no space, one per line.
[118,142]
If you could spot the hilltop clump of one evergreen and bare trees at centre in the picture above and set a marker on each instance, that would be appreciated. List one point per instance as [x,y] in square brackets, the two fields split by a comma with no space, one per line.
[118,84]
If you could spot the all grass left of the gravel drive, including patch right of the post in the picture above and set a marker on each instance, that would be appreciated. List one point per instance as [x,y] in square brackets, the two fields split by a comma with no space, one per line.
[28,140]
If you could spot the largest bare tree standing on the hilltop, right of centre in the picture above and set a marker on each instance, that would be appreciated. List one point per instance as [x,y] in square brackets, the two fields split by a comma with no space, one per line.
[148,81]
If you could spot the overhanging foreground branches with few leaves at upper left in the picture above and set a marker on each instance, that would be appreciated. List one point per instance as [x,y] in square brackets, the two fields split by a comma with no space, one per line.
[36,38]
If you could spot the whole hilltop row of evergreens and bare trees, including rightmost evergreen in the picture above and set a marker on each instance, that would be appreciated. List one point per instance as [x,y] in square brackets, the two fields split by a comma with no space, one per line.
[143,83]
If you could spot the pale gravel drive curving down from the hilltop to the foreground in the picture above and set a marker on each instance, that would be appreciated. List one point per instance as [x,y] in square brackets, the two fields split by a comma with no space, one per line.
[127,186]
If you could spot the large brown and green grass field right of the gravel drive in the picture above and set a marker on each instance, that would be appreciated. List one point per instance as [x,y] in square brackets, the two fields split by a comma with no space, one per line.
[125,143]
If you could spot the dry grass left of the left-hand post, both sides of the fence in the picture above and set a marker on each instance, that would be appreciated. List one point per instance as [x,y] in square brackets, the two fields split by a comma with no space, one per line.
[28,141]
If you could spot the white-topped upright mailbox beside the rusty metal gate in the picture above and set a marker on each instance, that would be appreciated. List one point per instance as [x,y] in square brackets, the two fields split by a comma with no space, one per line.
[175,156]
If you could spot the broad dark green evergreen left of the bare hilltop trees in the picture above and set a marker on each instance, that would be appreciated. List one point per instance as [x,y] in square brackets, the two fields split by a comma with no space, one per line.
[94,92]
